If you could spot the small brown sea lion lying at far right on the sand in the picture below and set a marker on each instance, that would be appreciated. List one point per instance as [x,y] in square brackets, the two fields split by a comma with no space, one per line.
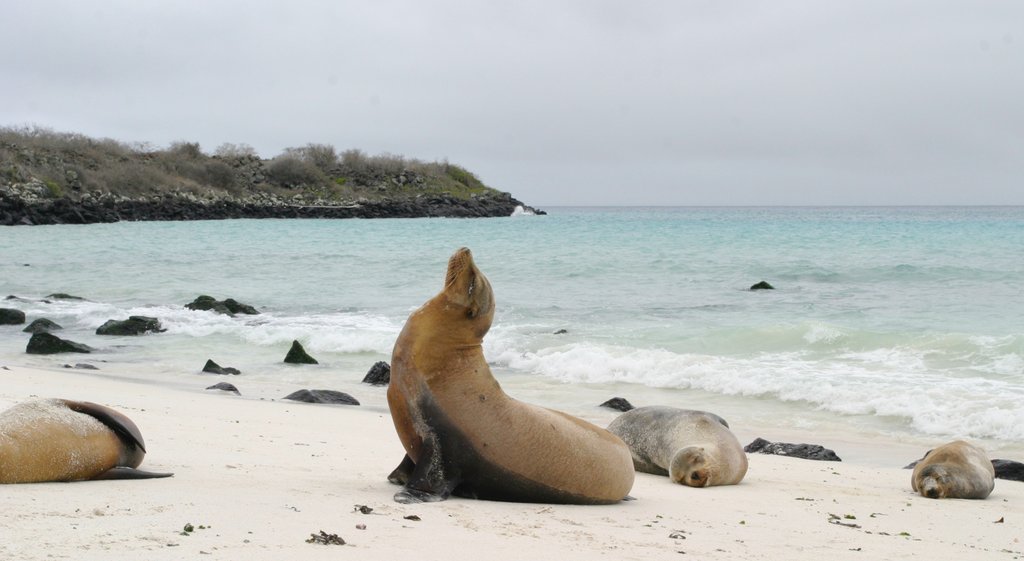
[956,470]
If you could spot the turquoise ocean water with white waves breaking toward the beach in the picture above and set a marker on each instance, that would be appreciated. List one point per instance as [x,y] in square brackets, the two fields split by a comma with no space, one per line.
[899,323]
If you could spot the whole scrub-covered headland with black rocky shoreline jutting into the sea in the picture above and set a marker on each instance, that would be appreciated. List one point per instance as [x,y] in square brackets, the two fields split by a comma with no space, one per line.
[52,178]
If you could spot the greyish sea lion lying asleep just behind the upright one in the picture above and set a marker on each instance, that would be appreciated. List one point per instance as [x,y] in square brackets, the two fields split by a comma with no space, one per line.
[693,448]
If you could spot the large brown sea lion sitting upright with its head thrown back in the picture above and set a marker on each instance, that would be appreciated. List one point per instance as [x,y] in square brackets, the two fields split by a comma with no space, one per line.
[464,436]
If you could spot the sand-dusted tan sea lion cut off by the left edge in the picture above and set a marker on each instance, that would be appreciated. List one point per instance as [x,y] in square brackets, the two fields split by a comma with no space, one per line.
[65,441]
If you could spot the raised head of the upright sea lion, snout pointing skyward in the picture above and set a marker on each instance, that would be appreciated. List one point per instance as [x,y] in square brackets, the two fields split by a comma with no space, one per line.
[467,294]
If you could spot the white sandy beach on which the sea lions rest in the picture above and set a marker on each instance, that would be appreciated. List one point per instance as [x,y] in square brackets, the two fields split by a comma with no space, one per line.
[257,478]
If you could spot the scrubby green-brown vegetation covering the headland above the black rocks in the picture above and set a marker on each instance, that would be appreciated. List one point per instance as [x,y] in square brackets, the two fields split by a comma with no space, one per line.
[69,165]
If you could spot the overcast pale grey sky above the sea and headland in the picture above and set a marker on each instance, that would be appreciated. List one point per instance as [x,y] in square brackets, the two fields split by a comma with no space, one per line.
[559,102]
